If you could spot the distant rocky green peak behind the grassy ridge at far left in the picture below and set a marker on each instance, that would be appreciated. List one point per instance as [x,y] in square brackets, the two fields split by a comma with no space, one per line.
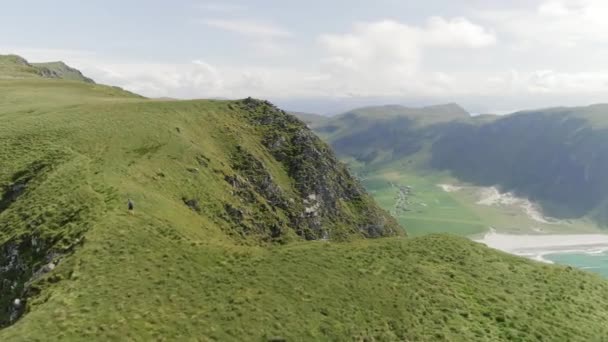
[12,66]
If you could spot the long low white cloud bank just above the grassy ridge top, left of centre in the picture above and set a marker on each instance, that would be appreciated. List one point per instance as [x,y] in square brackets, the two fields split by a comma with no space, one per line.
[199,79]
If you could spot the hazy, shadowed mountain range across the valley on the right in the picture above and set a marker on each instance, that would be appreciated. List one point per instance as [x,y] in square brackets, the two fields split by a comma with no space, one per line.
[557,157]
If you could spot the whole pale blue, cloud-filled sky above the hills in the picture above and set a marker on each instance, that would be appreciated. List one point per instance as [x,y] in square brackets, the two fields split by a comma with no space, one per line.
[328,56]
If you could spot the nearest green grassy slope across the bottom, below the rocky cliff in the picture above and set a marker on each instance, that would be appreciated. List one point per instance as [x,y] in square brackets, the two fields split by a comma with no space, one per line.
[429,288]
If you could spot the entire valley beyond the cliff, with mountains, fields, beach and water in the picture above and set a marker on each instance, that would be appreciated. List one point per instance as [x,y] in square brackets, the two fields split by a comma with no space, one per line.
[438,169]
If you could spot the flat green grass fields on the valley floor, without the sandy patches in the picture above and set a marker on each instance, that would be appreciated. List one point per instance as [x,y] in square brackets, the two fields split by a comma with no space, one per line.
[433,210]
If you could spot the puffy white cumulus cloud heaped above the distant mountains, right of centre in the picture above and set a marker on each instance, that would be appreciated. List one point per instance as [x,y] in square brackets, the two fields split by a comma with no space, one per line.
[385,57]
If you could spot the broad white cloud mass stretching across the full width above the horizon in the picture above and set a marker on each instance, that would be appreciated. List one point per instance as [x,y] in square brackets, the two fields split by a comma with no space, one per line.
[555,50]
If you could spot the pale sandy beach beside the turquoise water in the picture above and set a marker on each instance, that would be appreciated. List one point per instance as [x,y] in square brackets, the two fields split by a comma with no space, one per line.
[537,246]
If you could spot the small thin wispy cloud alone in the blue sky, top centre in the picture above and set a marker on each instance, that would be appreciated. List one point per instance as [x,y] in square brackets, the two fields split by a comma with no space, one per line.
[248,28]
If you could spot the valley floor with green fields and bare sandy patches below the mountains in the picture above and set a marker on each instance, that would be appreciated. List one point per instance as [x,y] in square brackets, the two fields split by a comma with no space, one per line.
[432,204]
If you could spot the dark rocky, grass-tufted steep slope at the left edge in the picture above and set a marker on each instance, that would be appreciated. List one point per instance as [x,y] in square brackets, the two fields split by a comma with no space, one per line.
[34,238]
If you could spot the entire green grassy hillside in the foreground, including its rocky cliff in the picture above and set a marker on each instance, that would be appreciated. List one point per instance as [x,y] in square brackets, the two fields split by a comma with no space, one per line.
[245,228]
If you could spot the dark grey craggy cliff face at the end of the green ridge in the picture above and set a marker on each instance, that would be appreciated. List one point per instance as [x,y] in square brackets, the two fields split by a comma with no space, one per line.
[331,204]
